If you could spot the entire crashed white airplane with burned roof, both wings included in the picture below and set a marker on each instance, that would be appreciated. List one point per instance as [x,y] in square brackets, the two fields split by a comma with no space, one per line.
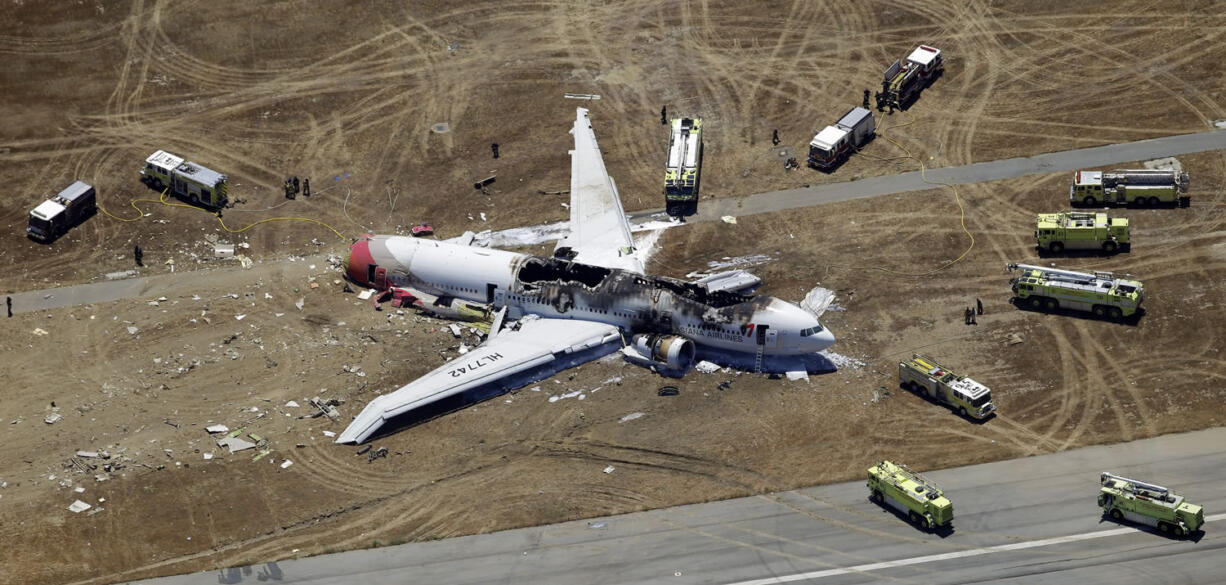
[593,292]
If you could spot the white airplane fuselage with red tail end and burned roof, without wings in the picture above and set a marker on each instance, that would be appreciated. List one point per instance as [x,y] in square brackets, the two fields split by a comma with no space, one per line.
[560,290]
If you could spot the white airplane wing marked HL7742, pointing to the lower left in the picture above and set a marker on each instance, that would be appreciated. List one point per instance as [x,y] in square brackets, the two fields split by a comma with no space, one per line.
[535,343]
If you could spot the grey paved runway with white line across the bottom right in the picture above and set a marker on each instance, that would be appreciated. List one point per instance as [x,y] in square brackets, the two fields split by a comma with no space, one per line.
[1024,522]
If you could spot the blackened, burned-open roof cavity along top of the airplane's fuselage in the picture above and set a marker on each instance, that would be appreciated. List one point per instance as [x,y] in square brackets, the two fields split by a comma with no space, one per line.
[539,270]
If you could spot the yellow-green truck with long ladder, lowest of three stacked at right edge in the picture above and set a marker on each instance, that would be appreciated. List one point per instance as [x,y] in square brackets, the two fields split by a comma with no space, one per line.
[1102,294]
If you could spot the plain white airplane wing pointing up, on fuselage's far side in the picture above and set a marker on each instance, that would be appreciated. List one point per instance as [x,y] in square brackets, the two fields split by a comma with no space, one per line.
[600,232]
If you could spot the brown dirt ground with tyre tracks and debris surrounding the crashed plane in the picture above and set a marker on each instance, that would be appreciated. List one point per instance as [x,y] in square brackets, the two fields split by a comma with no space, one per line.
[350,96]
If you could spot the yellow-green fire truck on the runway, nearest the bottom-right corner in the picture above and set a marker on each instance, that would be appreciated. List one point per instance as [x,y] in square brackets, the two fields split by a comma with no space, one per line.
[1149,505]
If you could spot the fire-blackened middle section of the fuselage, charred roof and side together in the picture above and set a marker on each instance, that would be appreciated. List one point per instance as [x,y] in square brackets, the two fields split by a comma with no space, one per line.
[560,289]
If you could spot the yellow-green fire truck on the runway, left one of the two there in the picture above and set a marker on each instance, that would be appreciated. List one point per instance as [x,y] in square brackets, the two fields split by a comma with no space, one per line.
[910,494]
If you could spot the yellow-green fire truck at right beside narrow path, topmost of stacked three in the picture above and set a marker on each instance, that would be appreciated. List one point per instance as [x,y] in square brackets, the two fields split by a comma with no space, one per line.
[1136,187]
